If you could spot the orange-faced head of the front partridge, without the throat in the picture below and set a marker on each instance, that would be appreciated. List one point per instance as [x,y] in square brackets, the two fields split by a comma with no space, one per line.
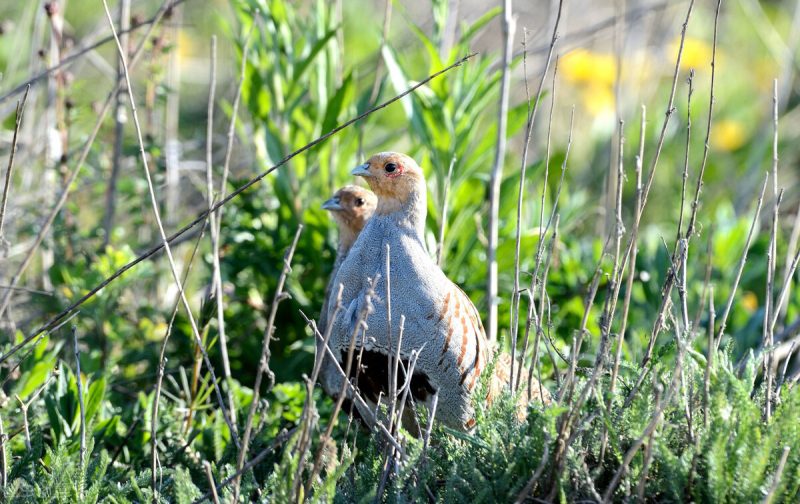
[392,175]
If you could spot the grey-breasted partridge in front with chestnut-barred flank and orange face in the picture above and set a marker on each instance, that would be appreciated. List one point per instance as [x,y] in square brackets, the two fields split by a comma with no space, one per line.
[441,323]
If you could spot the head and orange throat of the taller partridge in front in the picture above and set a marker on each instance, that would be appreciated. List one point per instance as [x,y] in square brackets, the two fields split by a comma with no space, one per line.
[396,179]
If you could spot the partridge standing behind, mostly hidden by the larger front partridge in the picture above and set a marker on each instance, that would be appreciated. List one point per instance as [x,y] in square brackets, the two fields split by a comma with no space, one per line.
[351,207]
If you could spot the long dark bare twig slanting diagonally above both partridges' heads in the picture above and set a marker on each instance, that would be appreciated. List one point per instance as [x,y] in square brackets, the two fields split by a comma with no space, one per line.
[157,248]
